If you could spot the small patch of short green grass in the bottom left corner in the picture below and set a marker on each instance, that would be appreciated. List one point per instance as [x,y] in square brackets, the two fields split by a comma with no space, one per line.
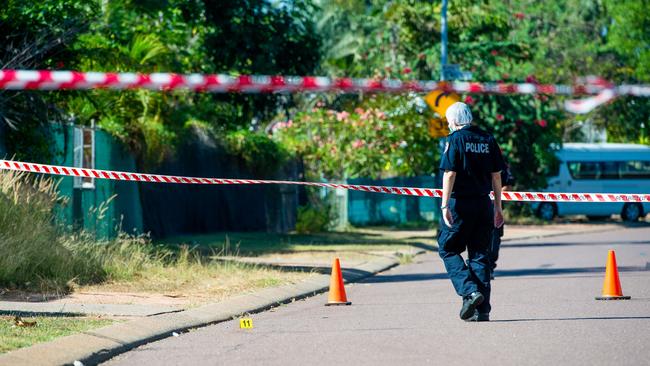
[46,329]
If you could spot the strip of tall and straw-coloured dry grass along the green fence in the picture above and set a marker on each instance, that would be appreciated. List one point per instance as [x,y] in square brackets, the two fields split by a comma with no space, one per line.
[36,254]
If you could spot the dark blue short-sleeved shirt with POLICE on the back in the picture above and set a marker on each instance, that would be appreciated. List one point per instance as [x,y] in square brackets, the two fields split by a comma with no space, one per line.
[474,155]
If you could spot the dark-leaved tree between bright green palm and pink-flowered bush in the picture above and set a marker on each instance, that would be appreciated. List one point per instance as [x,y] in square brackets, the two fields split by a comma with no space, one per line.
[259,37]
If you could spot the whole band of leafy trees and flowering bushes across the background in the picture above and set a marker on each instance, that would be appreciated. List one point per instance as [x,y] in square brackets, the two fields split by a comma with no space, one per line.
[517,40]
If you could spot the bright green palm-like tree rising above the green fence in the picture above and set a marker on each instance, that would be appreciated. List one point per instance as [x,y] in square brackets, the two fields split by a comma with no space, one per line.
[138,37]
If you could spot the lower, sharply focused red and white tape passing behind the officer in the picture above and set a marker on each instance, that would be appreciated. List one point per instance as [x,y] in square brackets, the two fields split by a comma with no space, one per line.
[404,191]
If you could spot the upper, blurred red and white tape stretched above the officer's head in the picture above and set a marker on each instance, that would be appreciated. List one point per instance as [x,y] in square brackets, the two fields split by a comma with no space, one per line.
[60,80]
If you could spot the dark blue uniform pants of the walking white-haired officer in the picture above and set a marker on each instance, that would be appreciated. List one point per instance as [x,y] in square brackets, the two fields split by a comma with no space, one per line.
[471,230]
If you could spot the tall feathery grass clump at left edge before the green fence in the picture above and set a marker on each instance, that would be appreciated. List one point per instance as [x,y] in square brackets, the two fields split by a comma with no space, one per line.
[33,251]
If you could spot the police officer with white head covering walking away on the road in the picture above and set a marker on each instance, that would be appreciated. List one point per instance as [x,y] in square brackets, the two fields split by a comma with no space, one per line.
[472,163]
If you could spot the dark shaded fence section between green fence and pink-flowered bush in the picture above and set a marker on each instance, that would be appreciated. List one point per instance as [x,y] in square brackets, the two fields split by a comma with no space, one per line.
[176,209]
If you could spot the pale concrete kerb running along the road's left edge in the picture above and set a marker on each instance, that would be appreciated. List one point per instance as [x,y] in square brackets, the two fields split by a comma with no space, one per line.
[102,344]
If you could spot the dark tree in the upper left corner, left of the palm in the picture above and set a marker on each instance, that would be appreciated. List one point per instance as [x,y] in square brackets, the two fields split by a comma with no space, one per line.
[35,36]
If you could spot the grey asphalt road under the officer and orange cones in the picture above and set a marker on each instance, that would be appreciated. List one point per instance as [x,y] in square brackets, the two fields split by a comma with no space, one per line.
[543,312]
